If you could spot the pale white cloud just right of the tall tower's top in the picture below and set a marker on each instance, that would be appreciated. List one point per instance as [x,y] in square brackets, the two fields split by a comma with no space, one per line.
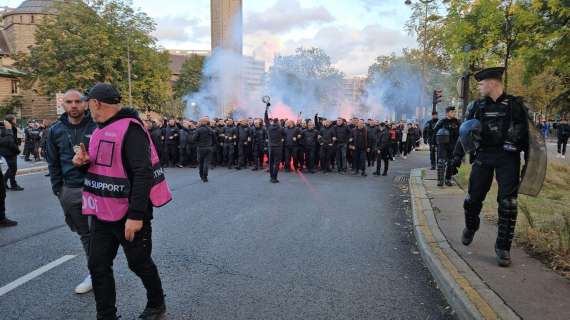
[285,16]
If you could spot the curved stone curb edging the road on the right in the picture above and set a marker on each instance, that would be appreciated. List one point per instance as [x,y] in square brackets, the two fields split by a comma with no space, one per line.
[464,290]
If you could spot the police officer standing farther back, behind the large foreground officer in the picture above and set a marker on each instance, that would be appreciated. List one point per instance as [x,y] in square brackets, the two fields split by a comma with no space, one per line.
[446,135]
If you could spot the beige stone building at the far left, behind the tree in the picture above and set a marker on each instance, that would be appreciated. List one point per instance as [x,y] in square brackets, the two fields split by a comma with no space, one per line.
[17,35]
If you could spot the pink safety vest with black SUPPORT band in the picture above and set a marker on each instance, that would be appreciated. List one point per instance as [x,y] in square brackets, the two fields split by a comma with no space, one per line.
[106,188]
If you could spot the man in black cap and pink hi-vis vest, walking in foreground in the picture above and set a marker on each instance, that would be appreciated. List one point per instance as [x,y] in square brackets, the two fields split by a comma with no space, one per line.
[123,183]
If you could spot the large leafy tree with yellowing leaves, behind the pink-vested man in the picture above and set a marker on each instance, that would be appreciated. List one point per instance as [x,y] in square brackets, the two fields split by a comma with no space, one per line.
[90,42]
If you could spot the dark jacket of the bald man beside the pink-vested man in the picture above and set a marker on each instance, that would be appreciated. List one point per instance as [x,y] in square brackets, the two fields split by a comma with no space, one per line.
[62,136]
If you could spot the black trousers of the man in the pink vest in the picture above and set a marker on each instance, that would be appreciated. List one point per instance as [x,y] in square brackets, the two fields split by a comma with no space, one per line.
[106,237]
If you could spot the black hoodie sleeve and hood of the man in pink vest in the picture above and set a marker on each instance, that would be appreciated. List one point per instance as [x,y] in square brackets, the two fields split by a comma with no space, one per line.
[137,164]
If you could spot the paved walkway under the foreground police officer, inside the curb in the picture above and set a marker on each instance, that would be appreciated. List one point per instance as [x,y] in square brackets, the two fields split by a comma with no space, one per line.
[528,287]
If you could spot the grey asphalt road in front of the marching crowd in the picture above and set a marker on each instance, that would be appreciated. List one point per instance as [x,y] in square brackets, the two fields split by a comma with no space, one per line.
[312,247]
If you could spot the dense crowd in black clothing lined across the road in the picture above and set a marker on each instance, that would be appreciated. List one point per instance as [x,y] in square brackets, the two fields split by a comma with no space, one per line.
[306,145]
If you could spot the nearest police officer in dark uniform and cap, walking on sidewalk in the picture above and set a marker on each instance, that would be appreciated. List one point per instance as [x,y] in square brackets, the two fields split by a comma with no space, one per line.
[504,134]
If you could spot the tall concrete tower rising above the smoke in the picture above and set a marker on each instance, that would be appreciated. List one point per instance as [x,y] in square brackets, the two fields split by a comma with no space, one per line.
[227,25]
